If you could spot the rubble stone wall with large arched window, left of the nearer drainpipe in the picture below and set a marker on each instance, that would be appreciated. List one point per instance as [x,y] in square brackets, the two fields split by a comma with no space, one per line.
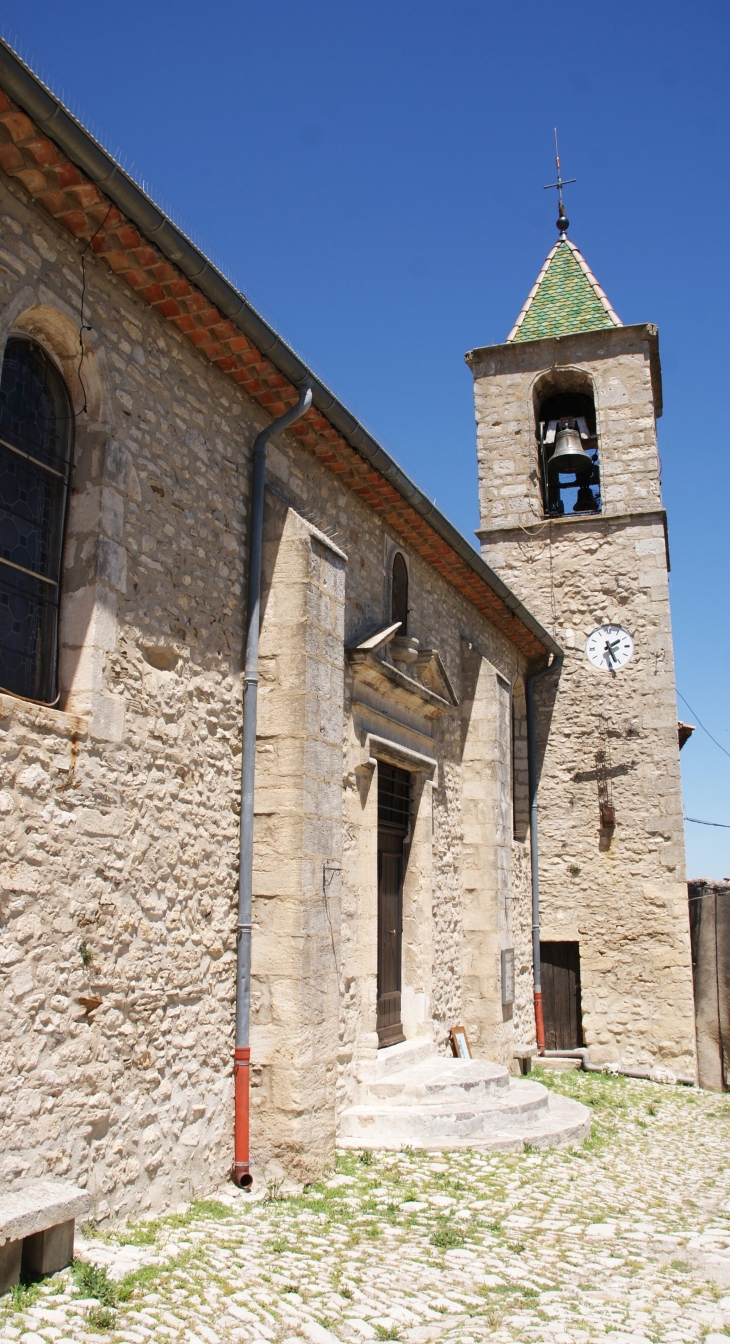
[119,874]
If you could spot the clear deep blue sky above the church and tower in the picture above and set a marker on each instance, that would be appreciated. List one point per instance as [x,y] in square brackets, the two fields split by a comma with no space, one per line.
[370,175]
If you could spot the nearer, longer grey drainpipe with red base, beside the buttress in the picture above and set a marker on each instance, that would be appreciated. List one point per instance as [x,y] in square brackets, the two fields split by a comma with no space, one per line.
[243,1054]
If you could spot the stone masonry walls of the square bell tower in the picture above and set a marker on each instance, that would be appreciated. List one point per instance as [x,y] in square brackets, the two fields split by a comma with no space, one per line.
[619,893]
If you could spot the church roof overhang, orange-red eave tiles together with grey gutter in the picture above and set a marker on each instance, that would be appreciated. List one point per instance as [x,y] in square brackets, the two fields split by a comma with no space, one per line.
[80,185]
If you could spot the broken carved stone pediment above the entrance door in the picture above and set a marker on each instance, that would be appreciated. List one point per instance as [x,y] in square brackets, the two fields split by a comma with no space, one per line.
[401,671]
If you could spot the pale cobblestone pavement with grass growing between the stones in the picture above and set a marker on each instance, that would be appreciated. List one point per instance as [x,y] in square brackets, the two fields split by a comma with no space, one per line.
[628,1237]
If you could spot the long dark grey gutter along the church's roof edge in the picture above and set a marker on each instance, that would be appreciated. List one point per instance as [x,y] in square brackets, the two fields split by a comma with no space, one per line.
[85,151]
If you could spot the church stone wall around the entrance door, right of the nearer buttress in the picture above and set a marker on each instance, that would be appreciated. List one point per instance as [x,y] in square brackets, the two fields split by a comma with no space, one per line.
[473,782]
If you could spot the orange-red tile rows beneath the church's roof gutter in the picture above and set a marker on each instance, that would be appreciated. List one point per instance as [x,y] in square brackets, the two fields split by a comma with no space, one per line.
[80,206]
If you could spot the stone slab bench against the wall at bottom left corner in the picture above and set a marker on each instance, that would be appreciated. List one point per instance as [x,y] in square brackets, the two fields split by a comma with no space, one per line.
[37,1229]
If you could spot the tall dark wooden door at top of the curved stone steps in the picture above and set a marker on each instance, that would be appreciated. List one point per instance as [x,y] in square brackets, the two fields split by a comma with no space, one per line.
[393,831]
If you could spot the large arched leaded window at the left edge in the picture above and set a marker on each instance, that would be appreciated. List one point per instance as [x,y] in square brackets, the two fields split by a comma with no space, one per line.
[37,433]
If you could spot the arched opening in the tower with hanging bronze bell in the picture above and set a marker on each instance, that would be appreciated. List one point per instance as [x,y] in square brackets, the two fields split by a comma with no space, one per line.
[568,446]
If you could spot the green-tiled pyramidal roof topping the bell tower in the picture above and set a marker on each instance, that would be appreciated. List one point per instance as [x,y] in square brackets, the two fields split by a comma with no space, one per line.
[565,299]
